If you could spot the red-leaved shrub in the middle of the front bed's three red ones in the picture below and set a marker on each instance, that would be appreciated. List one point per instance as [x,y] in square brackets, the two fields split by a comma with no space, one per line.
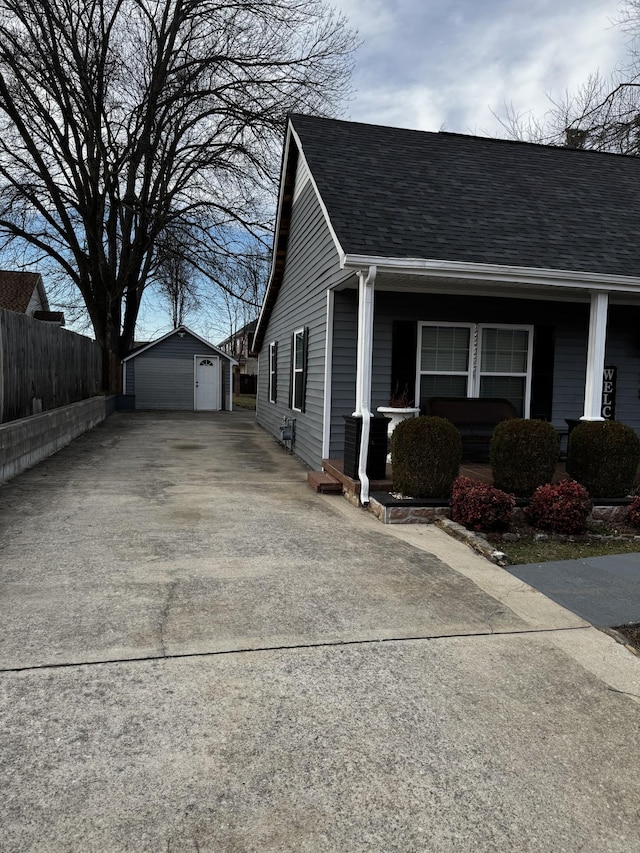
[560,507]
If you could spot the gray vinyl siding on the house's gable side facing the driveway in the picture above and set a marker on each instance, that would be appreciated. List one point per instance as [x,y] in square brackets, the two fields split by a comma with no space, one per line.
[312,266]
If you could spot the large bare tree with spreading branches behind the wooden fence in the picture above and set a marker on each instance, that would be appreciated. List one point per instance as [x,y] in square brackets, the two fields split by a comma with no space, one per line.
[122,118]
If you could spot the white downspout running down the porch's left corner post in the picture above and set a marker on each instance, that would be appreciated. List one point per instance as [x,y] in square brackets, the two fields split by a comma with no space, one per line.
[363,373]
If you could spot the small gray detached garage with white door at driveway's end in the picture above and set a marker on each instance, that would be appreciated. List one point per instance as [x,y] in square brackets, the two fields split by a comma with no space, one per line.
[179,371]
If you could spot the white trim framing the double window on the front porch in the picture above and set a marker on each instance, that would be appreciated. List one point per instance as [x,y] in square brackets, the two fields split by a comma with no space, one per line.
[473,372]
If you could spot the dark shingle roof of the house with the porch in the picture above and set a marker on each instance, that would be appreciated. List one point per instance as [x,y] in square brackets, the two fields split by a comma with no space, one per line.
[410,194]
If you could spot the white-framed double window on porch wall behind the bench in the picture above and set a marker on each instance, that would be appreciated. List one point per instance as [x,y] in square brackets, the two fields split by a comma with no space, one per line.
[475,360]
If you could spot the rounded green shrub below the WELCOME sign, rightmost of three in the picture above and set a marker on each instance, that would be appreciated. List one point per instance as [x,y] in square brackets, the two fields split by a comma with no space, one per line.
[604,457]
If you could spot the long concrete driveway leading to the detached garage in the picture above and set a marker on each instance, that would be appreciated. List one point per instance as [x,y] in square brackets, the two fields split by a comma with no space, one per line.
[200,654]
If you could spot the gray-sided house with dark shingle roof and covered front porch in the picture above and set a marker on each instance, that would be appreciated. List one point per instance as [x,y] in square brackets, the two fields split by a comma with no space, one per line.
[447,265]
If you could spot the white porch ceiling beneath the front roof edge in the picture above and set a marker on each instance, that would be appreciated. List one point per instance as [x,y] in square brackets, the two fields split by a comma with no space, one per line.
[416,283]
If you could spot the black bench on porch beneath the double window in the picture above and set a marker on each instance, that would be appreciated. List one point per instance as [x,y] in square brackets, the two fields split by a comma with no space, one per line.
[474,417]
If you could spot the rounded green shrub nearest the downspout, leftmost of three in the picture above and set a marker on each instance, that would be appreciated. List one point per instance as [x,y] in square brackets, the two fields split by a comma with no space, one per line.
[425,454]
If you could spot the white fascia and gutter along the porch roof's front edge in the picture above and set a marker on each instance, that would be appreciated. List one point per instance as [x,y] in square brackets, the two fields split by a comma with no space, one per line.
[569,279]
